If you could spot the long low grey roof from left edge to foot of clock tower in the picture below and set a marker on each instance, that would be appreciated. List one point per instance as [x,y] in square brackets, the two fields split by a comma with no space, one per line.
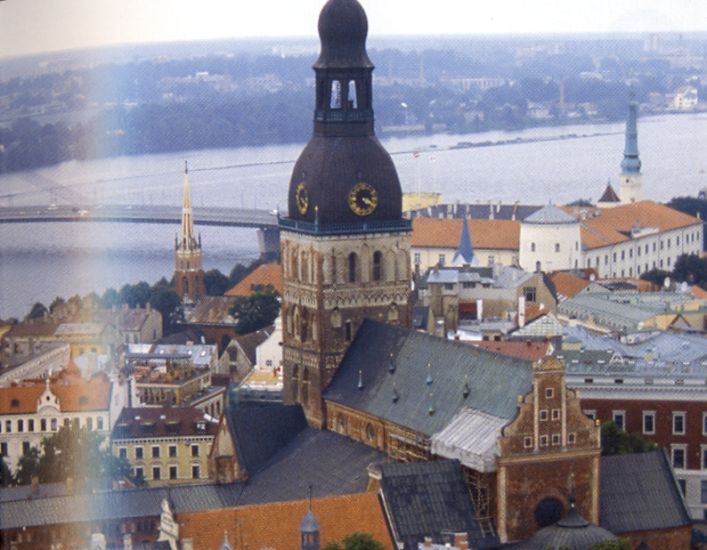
[333,464]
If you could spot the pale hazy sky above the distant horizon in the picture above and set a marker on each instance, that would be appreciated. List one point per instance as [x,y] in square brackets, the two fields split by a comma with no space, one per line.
[31,26]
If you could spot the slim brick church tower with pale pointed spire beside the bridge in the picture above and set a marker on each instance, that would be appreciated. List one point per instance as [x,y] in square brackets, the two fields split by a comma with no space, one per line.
[188,270]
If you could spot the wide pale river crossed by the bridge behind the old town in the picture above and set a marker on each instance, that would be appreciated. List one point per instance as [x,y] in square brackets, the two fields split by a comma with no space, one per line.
[41,261]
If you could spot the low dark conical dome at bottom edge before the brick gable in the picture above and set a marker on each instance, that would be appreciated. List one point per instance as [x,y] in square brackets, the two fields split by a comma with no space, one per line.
[572,532]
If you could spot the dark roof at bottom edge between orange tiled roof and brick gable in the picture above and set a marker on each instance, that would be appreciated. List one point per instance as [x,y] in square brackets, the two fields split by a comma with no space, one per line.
[430,499]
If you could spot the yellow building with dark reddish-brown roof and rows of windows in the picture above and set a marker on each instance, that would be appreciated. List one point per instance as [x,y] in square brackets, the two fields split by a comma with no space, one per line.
[165,445]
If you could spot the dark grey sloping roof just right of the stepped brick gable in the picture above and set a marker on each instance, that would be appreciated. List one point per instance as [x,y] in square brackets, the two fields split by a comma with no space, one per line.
[639,493]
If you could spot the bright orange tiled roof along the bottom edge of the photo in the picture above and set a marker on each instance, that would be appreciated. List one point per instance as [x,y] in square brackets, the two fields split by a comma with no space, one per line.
[277,525]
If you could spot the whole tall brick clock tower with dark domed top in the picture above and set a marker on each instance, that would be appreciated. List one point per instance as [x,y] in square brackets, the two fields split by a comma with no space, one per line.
[345,247]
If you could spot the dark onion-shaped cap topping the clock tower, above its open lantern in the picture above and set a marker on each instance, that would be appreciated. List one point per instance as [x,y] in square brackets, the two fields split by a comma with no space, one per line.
[343,28]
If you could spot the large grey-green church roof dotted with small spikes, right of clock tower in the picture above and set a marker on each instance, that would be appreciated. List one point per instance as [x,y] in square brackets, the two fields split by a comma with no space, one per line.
[495,381]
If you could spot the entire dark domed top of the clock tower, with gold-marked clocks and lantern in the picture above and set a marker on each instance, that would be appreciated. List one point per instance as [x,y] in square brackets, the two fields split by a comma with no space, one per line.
[344,175]
